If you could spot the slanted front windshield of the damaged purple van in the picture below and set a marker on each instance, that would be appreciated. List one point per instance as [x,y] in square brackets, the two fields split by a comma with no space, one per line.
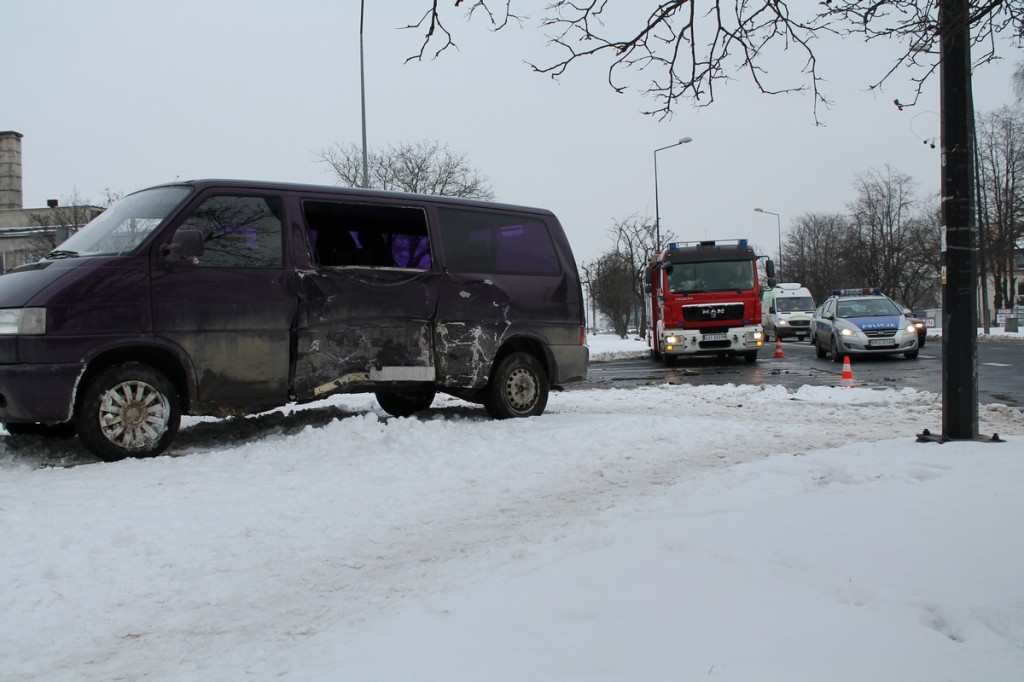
[122,228]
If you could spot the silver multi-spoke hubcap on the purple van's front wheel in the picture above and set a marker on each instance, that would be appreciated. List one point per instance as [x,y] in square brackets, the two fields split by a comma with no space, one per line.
[134,415]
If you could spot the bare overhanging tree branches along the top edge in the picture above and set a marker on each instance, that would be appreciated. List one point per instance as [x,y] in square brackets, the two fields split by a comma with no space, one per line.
[684,49]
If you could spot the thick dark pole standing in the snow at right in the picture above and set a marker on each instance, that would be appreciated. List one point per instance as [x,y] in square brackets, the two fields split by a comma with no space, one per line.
[960,303]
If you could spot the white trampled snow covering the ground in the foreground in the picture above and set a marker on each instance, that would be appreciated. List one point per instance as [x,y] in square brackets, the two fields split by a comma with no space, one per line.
[666,533]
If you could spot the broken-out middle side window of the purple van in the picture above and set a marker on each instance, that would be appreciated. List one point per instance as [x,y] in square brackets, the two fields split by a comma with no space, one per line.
[346,234]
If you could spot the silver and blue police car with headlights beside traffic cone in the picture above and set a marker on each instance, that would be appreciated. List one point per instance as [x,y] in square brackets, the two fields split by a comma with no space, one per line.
[856,322]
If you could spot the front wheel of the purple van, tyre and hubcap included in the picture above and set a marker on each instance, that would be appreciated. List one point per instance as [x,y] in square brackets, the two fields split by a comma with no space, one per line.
[129,410]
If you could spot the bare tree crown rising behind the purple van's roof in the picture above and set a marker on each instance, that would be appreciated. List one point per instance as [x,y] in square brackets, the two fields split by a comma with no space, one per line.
[424,167]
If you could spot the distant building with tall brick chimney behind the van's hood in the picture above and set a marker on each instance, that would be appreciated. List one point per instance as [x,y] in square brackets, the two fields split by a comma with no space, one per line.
[27,235]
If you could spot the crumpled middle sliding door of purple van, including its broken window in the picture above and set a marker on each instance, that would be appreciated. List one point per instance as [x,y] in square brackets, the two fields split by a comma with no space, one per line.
[369,303]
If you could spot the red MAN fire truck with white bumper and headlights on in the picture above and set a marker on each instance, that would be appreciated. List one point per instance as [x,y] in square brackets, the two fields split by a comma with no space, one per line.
[704,299]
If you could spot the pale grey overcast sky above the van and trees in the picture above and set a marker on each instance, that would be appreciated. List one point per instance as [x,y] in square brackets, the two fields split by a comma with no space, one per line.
[123,95]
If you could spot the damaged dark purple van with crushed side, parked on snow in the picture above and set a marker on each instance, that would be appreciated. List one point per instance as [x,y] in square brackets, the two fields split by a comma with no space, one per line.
[227,297]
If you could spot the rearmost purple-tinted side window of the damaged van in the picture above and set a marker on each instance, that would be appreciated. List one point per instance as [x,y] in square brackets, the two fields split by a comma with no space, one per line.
[499,243]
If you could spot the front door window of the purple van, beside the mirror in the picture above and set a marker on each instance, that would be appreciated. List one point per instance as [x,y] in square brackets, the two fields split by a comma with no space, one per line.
[239,232]
